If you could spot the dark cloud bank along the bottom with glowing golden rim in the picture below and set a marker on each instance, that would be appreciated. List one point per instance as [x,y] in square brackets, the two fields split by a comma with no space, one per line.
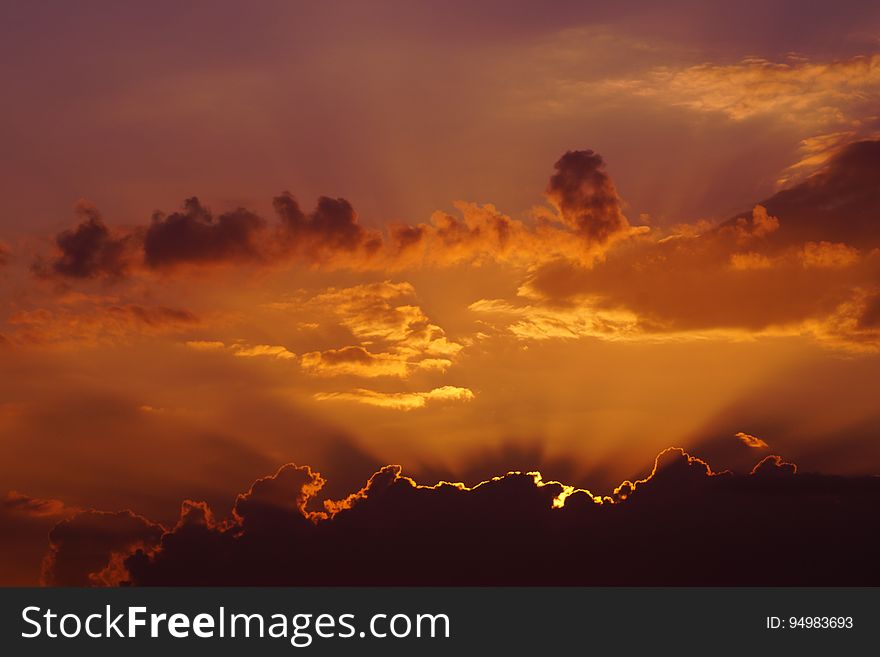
[682,525]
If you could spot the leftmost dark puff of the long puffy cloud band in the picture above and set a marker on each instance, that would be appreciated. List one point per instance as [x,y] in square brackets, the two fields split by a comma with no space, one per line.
[87,251]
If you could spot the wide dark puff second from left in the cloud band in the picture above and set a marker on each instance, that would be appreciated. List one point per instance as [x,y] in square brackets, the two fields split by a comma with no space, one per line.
[194,236]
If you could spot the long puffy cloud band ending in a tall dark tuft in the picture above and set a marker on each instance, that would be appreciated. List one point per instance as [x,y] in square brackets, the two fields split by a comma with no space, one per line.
[588,217]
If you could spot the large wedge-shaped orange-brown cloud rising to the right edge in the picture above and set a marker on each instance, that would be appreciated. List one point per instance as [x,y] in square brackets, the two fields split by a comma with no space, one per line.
[806,261]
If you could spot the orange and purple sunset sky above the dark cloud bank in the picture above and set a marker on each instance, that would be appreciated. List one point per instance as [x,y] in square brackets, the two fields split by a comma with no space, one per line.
[463,238]
